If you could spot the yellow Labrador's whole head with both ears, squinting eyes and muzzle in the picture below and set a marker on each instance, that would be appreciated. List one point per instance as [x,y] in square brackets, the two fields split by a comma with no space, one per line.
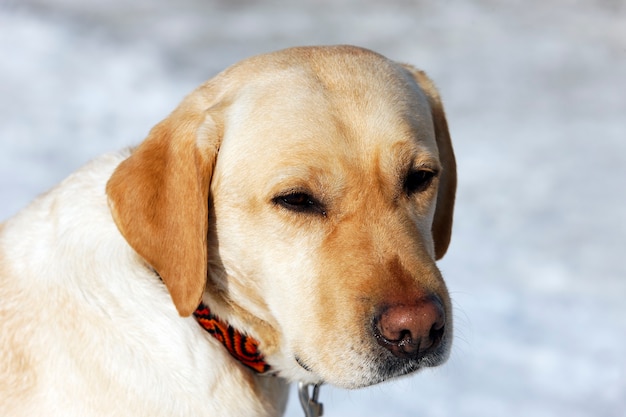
[305,195]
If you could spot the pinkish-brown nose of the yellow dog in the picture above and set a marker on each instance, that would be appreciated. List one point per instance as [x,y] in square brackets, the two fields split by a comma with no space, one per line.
[410,331]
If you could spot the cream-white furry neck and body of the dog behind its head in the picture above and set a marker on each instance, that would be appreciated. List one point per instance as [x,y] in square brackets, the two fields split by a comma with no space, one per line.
[88,330]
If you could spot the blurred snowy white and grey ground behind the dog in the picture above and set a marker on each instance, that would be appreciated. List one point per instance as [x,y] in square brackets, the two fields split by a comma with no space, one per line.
[536,99]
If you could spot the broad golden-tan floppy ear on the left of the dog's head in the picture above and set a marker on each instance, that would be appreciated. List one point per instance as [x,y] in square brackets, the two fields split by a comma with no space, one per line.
[159,200]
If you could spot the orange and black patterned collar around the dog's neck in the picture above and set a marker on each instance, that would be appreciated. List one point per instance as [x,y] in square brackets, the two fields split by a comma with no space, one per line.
[242,347]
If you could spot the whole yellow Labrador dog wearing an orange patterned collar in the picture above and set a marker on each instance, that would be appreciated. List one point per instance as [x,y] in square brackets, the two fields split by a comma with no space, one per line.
[281,224]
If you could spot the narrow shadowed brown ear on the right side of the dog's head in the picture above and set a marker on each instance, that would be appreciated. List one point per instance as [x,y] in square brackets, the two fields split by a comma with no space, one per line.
[442,223]
